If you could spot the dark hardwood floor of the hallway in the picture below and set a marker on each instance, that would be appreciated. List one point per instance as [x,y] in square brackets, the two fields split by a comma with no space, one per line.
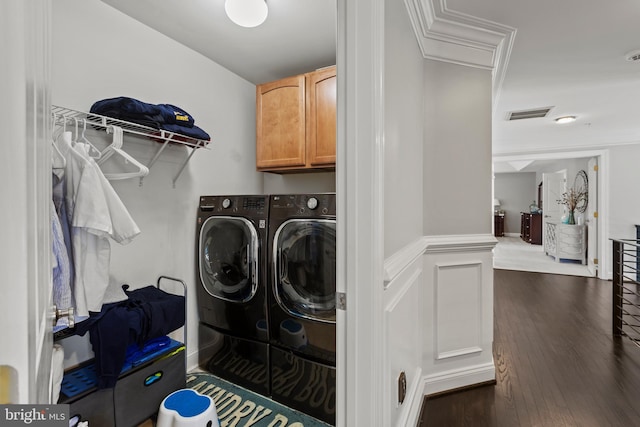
[557,363]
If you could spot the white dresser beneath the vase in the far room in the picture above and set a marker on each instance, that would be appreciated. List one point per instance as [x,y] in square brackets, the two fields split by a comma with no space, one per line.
[566,241]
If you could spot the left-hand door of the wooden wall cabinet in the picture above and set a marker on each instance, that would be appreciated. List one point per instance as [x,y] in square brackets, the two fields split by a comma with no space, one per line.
[280,123]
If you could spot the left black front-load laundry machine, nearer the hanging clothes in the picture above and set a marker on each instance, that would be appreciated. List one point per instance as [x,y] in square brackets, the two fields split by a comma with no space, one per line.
[232,299]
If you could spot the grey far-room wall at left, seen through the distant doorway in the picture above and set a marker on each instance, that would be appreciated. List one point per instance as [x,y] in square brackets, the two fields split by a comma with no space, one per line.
[516,191]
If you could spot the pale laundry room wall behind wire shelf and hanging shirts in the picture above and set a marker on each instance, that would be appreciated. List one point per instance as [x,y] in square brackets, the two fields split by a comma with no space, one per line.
[100,53]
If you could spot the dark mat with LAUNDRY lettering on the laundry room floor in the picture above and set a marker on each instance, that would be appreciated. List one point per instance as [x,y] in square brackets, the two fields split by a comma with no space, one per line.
[241,407]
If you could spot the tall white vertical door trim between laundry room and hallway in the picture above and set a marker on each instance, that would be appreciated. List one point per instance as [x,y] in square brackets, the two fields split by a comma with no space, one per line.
[360,203]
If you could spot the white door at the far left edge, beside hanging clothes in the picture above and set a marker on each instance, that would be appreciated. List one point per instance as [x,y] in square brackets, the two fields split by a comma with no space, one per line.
[25,117]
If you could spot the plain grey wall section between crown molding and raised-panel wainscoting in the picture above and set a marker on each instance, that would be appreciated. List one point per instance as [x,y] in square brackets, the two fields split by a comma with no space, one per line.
[457,153]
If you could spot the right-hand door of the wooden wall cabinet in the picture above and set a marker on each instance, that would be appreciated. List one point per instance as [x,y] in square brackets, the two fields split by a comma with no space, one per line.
[321,117]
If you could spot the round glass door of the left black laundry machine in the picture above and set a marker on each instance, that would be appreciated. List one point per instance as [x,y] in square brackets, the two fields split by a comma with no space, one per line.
[228,258]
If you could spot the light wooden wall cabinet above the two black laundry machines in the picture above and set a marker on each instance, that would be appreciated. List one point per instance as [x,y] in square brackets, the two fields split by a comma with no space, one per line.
[296,123]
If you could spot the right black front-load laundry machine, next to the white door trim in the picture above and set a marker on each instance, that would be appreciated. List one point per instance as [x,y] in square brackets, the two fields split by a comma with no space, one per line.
[302,302]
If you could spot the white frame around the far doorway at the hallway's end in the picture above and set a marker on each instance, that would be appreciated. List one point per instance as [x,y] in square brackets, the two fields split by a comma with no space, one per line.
[603,244]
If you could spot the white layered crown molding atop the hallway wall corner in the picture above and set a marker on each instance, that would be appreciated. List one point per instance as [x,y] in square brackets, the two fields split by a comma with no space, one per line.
[455,37]
